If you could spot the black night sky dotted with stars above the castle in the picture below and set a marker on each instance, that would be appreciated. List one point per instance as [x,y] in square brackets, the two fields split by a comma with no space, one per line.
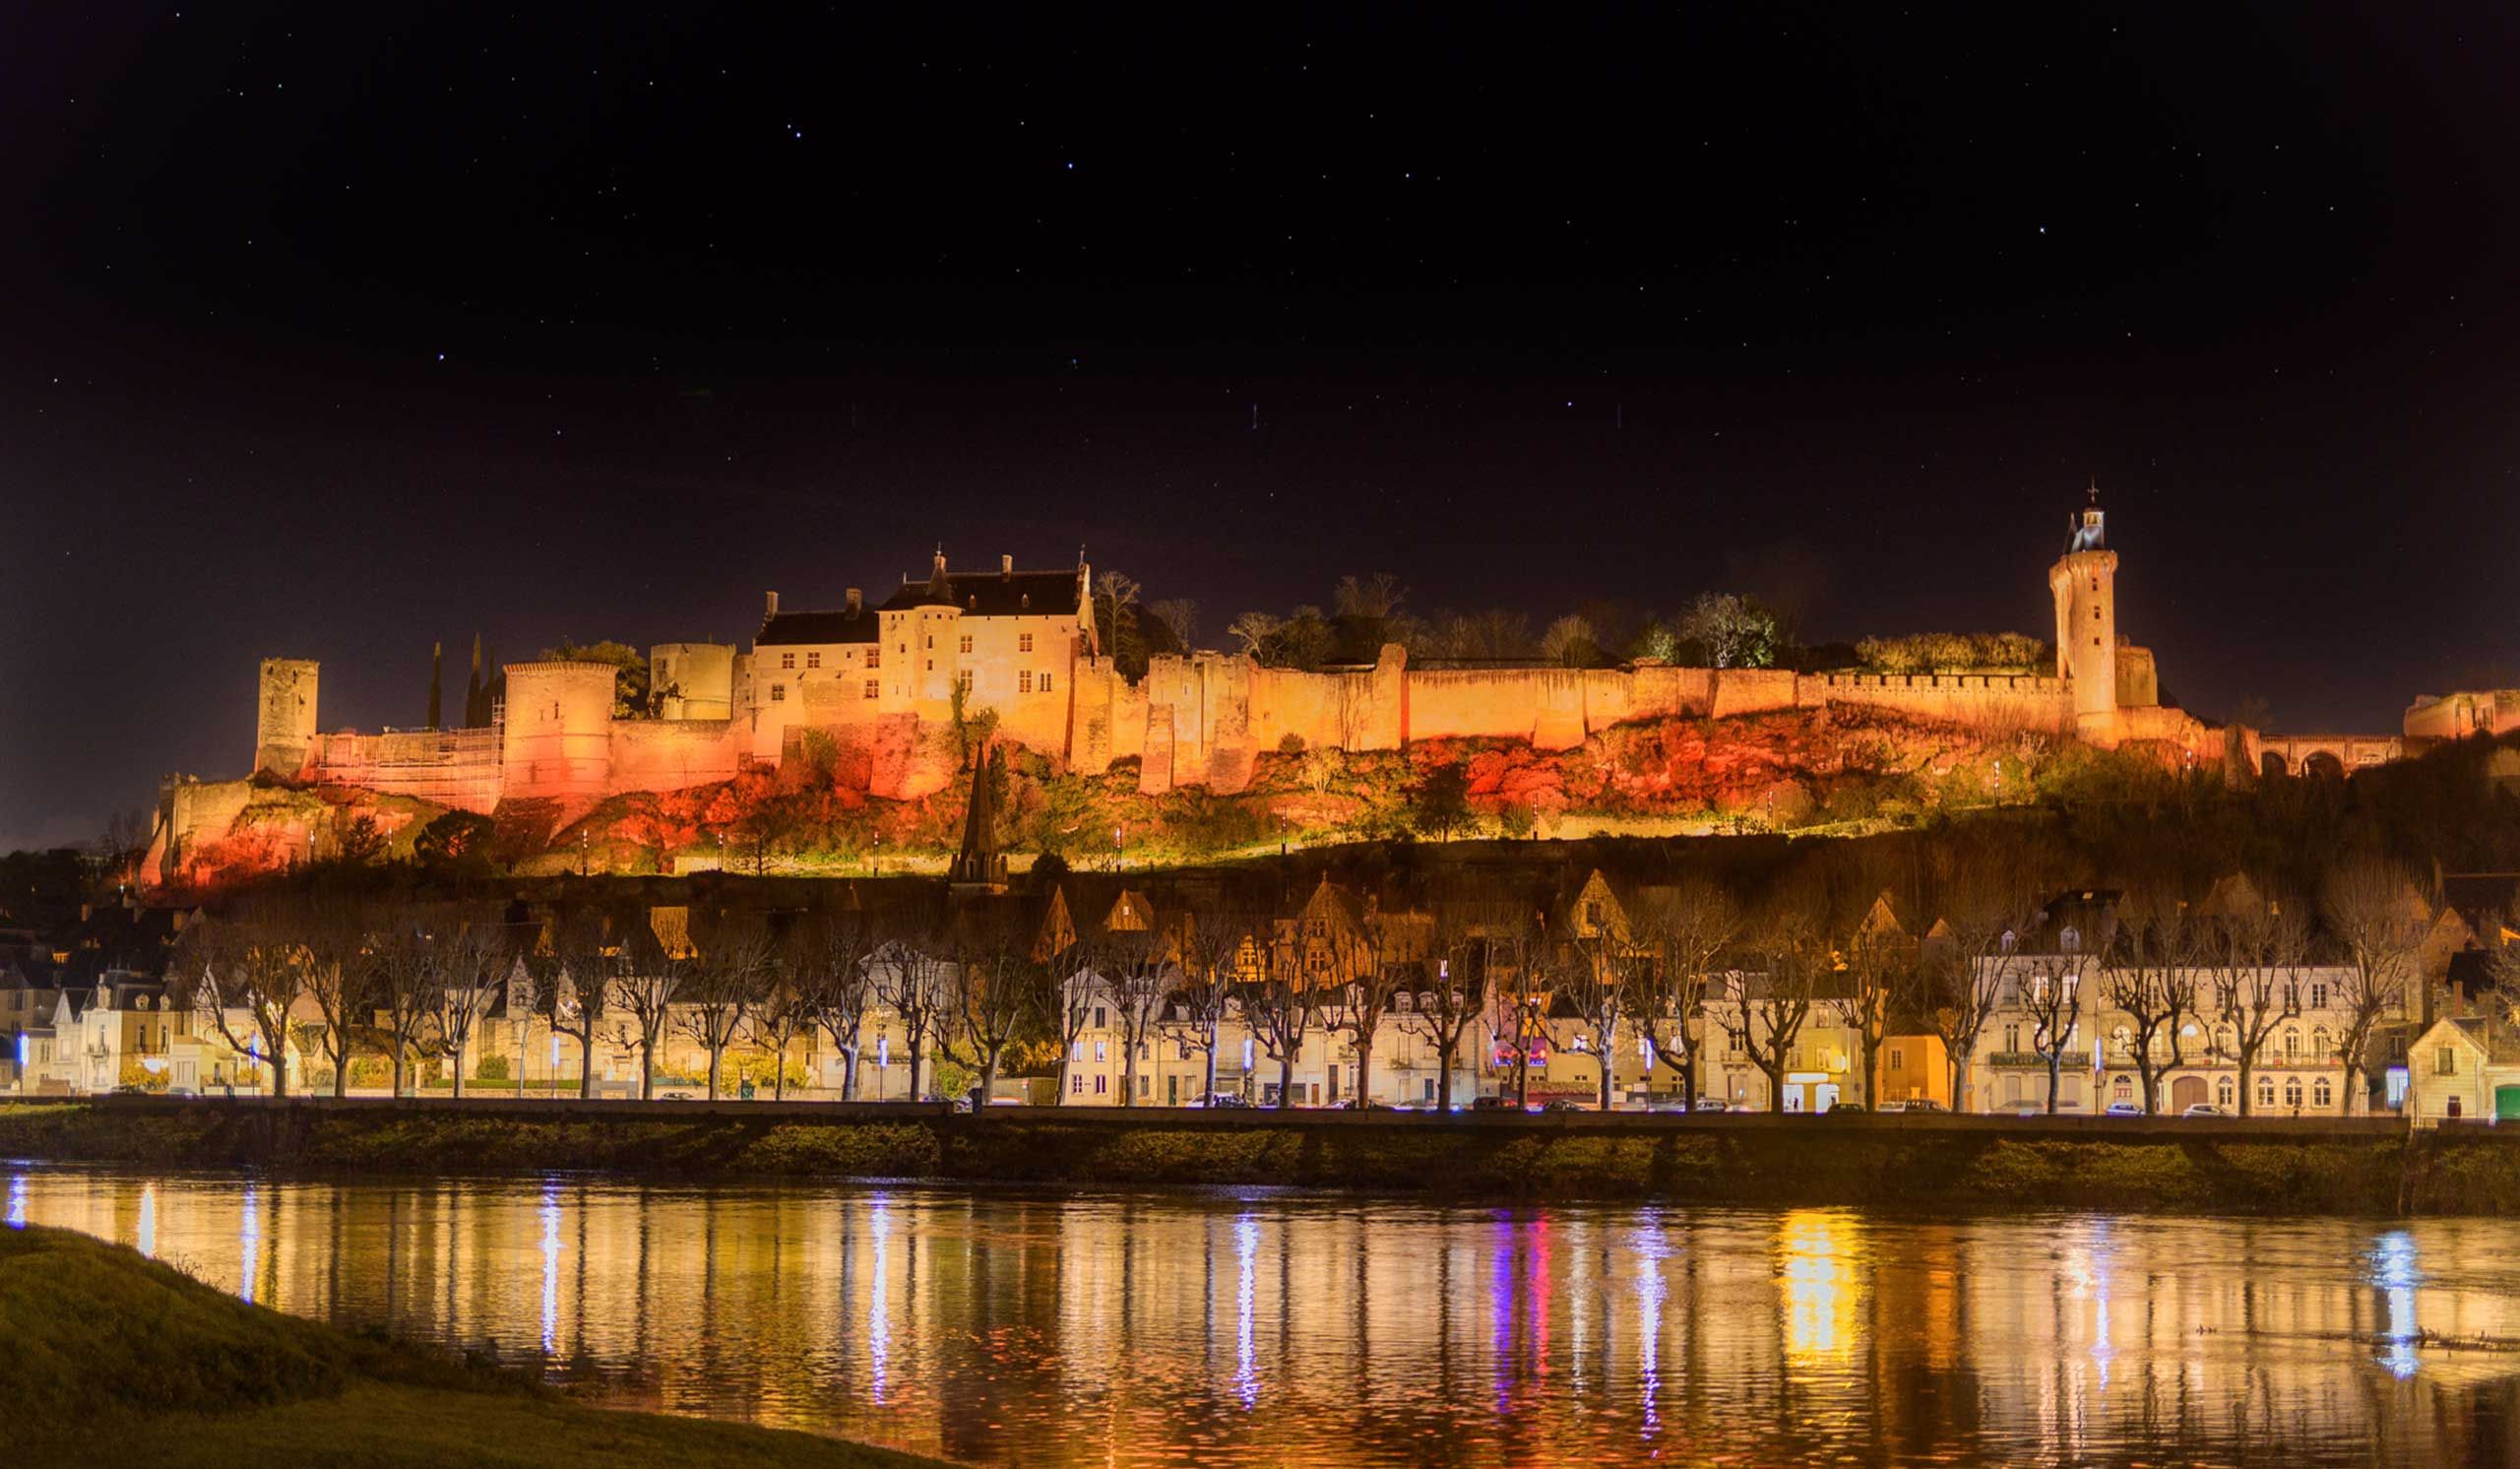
[344,329]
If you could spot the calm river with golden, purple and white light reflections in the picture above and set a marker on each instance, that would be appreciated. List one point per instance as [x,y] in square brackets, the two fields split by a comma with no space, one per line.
[1304,1329]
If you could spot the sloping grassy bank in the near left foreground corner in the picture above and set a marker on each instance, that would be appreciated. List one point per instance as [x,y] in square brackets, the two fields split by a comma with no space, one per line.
[115,1359]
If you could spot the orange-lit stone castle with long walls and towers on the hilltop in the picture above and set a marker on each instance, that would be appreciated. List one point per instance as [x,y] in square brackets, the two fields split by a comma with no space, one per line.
[878,689]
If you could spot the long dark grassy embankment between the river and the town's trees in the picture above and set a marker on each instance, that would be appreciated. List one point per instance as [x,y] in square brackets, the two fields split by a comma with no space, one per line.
[2269,1168]
